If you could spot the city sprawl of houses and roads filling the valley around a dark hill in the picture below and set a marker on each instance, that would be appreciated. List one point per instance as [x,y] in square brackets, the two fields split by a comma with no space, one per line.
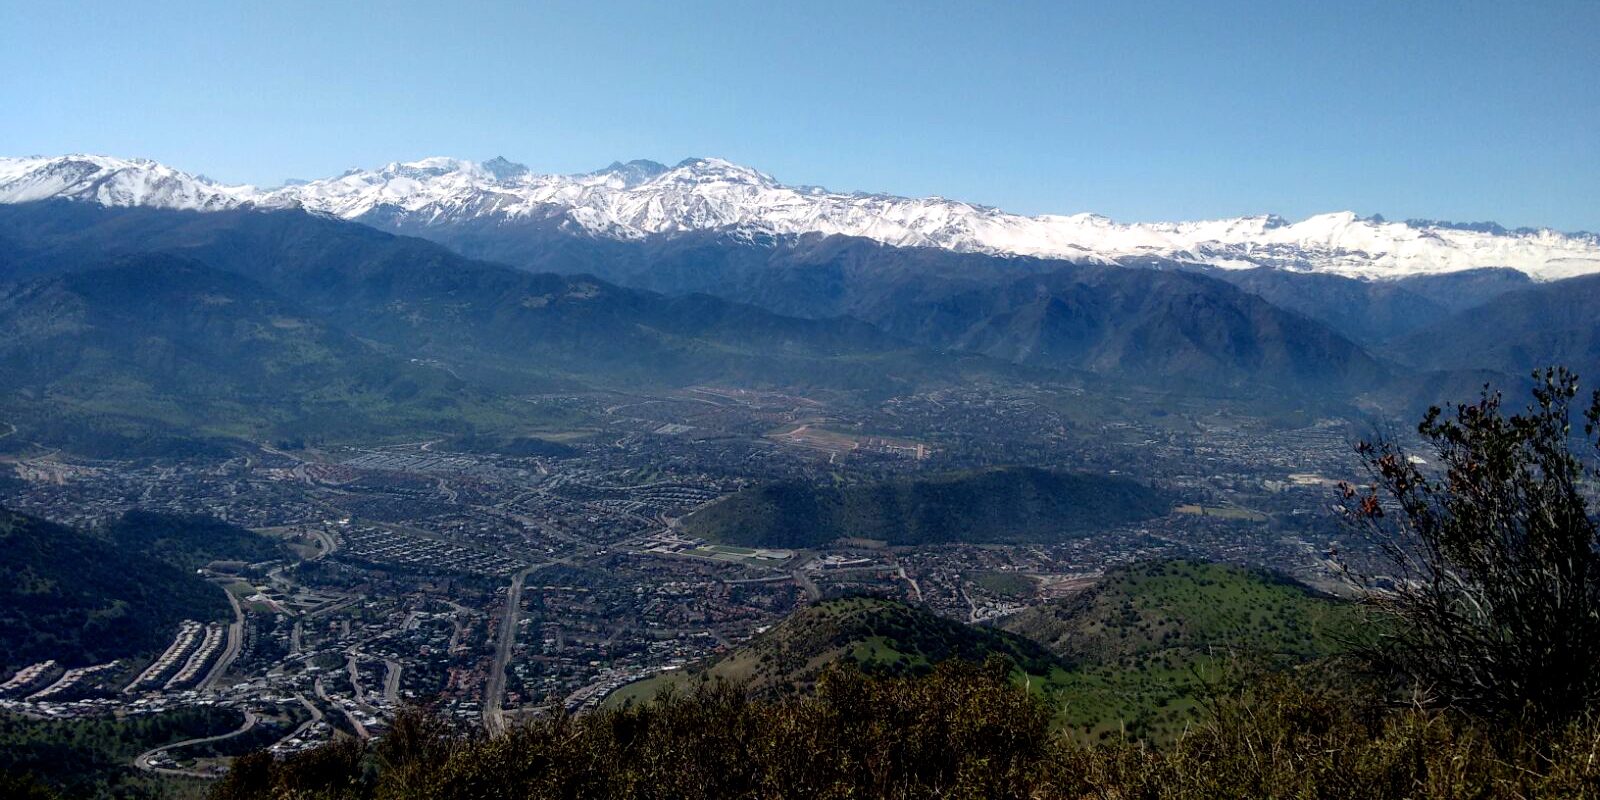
[497,586]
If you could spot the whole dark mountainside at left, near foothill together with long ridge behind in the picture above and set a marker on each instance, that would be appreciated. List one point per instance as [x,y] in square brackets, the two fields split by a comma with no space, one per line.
[295,327]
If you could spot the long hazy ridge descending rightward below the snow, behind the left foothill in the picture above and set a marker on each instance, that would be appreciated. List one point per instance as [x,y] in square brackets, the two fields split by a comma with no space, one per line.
[490,324]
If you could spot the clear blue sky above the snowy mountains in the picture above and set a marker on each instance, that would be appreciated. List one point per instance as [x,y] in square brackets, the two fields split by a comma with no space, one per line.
[1135,110]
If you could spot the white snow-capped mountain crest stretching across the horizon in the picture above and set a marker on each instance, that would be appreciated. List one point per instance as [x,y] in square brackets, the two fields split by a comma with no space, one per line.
[647,199]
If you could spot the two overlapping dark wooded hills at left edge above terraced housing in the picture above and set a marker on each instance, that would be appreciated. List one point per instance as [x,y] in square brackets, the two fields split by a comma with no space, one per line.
[89,598]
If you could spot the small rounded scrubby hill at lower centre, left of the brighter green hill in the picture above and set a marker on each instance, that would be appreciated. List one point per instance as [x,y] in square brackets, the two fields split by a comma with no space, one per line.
[882,638]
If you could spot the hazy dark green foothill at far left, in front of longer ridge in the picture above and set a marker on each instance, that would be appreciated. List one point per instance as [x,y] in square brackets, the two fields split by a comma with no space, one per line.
[108,359]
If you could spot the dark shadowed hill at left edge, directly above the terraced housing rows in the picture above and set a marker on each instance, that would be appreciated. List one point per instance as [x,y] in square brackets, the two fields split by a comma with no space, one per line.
[86,599]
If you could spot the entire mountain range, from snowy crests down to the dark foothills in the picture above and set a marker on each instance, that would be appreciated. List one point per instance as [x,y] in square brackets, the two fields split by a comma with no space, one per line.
[143,308]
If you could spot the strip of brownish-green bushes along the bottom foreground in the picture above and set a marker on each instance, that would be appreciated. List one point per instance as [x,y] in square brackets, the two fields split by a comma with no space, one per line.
[961,732]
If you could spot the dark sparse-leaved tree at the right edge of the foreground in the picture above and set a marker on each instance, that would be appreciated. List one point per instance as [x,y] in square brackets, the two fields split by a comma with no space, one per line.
[1494,556]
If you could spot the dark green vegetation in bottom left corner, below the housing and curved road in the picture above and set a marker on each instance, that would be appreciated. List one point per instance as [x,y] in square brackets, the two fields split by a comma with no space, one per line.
[92,759]
